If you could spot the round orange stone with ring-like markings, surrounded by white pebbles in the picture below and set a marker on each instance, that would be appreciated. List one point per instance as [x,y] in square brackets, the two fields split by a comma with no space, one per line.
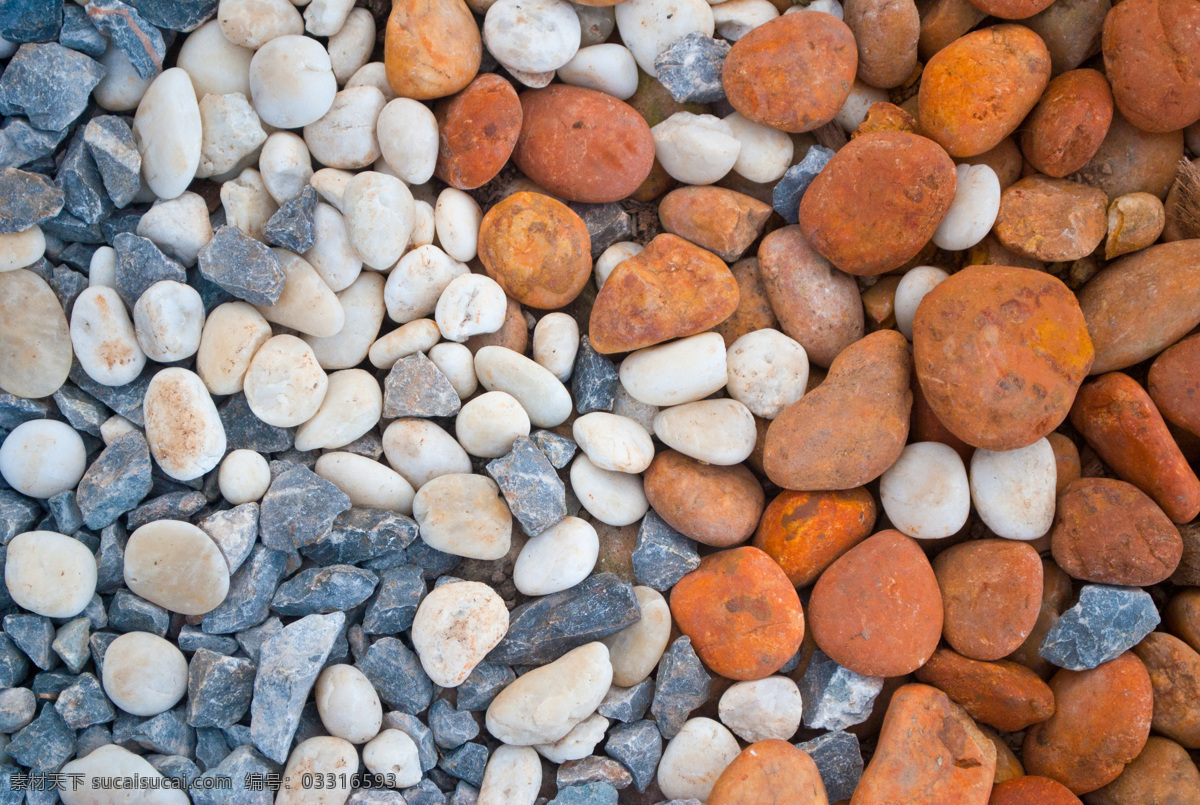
[537,249]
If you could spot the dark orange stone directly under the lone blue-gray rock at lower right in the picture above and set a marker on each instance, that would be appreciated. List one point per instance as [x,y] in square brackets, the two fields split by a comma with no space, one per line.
[1101,723]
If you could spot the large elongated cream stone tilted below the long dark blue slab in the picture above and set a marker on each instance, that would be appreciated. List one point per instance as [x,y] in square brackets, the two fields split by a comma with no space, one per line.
[547,704]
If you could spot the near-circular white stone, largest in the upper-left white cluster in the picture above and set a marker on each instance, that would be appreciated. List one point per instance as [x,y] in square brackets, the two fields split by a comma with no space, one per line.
[292,82]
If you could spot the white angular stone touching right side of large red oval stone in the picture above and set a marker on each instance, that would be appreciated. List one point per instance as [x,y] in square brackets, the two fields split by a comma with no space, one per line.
[695,149]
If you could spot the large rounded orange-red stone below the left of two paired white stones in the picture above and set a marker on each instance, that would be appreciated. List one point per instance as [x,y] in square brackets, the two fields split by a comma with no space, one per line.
[878,610]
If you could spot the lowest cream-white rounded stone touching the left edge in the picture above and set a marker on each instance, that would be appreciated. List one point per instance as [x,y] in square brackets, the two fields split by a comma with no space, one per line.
[50,574]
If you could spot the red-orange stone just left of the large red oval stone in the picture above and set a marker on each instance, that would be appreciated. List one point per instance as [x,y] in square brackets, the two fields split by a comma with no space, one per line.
[478,130]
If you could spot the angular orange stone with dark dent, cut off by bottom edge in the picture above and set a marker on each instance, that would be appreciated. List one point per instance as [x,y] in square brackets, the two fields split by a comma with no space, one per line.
[929,752]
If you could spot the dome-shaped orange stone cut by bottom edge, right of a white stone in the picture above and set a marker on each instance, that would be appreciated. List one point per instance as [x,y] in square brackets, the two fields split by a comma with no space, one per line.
[770,773]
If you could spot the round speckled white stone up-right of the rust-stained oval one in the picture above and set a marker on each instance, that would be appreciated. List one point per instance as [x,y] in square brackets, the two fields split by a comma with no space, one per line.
[285,386]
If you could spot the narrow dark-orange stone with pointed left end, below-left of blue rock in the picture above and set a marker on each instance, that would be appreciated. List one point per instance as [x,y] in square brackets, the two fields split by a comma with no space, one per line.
[1001,694]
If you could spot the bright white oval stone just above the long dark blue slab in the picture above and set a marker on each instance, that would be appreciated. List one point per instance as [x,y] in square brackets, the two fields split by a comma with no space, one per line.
[559,558]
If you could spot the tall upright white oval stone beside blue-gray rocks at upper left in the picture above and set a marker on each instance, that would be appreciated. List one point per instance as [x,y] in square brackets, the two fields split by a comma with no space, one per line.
[167,130]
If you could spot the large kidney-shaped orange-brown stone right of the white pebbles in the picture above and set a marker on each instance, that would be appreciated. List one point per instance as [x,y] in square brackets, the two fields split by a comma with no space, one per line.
[850,429]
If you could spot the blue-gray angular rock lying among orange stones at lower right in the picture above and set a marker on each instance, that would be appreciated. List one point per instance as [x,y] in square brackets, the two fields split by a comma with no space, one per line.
[1106,623]
